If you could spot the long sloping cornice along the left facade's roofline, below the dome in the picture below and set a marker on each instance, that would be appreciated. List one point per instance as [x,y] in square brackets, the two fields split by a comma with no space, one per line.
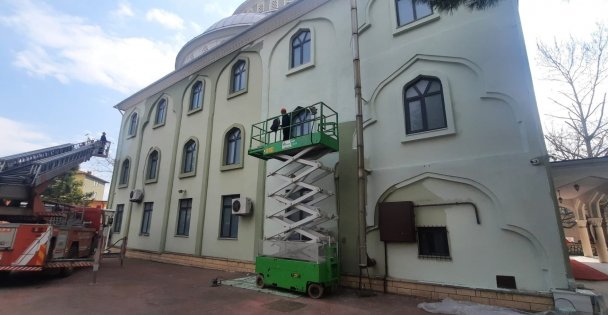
[265,26]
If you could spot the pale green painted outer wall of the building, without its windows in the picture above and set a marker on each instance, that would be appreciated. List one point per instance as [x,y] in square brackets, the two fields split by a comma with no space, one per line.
[482,157]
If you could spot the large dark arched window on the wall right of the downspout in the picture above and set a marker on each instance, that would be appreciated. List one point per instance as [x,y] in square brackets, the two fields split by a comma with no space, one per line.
[424,105]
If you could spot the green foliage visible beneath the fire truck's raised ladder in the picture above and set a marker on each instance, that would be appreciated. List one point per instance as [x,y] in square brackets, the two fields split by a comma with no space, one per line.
[66,189]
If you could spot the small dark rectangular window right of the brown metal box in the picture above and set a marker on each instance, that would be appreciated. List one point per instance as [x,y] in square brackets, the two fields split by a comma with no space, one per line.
[433,242]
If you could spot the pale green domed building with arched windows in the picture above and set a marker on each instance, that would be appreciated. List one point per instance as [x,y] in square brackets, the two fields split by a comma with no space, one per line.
[450,124]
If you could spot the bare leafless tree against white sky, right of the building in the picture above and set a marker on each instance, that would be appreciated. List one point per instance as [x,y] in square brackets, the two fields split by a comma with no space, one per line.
[579,69]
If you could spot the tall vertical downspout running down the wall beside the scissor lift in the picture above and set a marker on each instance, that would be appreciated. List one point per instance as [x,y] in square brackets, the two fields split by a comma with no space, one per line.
[359,126]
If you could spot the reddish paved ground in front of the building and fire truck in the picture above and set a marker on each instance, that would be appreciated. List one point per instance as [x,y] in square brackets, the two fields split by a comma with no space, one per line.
[144,287]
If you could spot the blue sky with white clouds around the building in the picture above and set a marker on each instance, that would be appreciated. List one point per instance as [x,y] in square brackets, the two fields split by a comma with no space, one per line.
[64,64]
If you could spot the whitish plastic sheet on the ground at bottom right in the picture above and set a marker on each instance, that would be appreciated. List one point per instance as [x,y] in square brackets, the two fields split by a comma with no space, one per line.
[449,306]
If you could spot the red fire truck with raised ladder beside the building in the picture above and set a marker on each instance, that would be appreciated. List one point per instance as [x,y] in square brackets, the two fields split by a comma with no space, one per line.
[35,235]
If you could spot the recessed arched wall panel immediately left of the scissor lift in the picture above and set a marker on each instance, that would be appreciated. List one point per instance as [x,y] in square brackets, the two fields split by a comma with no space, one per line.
[243,110]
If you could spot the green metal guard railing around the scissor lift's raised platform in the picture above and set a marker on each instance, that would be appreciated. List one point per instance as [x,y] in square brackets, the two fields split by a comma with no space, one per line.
[303,121]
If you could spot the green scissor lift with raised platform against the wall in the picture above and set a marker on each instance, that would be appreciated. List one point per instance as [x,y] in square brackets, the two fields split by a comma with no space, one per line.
[298,255]
